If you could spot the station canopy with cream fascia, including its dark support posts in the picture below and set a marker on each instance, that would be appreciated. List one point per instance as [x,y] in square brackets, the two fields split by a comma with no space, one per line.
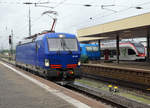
[132,27]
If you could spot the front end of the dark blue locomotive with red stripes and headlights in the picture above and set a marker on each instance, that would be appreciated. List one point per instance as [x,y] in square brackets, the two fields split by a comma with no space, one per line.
[62,56]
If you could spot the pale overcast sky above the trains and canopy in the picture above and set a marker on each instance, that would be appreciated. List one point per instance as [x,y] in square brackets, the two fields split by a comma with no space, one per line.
[72,15]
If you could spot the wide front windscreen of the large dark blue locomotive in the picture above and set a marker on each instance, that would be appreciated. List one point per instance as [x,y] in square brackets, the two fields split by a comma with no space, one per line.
[62,44]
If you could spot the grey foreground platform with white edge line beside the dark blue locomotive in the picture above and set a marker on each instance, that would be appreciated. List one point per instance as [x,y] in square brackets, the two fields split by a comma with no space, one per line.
[20,92]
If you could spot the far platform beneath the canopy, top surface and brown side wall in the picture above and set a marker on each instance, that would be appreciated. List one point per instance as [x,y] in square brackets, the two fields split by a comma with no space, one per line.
[132,74]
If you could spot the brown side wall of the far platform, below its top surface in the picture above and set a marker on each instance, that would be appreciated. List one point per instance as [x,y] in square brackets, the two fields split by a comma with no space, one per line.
[130,77]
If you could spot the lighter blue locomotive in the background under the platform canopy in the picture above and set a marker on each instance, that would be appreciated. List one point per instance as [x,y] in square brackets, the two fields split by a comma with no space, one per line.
[90,51]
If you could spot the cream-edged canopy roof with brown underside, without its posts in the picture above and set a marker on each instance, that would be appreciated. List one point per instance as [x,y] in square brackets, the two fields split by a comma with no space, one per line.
[136,26]
